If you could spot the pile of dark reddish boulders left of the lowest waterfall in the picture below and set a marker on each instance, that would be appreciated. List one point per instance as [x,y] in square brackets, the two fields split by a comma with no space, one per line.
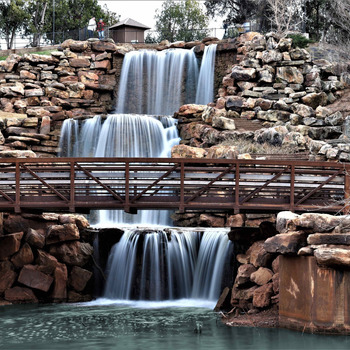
[47,262]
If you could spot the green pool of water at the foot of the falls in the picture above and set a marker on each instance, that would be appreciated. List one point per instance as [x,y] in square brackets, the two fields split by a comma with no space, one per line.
[103,325]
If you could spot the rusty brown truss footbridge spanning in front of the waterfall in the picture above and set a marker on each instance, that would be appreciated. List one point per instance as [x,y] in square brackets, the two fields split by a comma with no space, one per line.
[130,184]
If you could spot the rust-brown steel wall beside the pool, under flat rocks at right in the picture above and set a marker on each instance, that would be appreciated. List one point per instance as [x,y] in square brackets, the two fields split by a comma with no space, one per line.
[312,298]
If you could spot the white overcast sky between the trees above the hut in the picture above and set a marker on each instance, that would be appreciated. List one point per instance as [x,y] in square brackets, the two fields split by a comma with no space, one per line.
[143,11]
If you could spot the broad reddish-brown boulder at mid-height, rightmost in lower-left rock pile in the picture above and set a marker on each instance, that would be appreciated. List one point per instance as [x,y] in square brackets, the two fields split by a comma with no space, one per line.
[72,253]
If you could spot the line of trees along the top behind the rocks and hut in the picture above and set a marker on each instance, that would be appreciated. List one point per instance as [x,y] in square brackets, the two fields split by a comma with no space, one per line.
[327,20]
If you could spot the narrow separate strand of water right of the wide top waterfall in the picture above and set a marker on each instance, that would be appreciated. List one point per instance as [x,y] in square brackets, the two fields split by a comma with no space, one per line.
[205,87]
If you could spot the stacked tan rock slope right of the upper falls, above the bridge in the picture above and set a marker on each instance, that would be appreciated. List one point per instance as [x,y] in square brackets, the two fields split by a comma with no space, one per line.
[274,96]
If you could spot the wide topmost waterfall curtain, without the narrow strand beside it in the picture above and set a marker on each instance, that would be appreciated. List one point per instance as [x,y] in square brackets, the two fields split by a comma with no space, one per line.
[157,83]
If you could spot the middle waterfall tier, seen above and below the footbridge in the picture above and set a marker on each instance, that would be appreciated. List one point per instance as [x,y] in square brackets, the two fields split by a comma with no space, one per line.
[121,135]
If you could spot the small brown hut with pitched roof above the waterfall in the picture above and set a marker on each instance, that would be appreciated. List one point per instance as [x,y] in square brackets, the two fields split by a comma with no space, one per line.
[128,31]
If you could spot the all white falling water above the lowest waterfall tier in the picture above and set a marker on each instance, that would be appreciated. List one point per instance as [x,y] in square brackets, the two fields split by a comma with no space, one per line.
[152,83]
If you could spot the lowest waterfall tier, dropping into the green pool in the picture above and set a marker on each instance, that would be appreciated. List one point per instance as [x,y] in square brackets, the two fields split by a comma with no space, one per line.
[168,265]
